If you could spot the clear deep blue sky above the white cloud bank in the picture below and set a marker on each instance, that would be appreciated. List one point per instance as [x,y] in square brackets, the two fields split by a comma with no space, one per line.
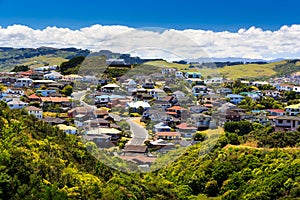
[207,15]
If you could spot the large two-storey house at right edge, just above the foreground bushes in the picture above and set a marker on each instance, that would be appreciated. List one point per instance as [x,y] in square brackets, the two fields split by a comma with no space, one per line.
[290,123]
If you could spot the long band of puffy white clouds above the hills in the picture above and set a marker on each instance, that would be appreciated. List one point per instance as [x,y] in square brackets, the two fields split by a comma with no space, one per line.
[169,44]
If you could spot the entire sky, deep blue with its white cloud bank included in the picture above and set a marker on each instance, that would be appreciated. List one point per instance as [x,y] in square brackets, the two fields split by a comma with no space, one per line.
[234,28]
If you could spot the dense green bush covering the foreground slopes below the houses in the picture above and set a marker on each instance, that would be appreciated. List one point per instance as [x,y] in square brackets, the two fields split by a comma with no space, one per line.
[38,161]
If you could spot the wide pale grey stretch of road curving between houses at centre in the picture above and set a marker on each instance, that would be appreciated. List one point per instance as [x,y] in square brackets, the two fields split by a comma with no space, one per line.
[139,133]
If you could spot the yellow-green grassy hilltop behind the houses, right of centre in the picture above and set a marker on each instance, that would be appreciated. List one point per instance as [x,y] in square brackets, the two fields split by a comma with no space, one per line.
[232,72]
